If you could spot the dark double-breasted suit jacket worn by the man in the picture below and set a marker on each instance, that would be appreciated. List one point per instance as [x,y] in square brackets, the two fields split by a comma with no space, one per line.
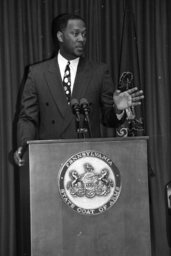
[45,113]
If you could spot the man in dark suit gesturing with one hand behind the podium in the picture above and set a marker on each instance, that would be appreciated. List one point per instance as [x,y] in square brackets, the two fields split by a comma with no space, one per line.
[46,111]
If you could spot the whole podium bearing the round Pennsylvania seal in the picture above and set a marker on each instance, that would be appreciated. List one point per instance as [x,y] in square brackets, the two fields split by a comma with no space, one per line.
[120,227]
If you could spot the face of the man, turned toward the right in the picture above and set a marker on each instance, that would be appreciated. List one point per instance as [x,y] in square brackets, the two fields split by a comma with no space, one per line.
[73,39]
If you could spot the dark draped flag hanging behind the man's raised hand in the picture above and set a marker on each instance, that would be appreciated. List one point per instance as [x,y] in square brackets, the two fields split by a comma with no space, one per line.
[129,75]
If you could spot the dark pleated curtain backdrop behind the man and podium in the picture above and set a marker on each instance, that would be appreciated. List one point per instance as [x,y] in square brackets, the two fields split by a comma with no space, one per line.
[25,38]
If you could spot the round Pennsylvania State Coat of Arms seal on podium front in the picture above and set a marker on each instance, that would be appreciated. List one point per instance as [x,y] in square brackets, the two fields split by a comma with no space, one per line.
[89,182]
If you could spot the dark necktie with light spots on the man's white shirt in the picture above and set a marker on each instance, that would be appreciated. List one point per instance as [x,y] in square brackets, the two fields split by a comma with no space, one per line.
[67,82]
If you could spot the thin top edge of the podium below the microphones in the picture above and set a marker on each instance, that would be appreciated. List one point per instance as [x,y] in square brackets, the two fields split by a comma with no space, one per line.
[88,140]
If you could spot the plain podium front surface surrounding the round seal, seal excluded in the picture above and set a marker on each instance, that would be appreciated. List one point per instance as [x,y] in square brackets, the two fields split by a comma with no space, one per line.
[57,230]
